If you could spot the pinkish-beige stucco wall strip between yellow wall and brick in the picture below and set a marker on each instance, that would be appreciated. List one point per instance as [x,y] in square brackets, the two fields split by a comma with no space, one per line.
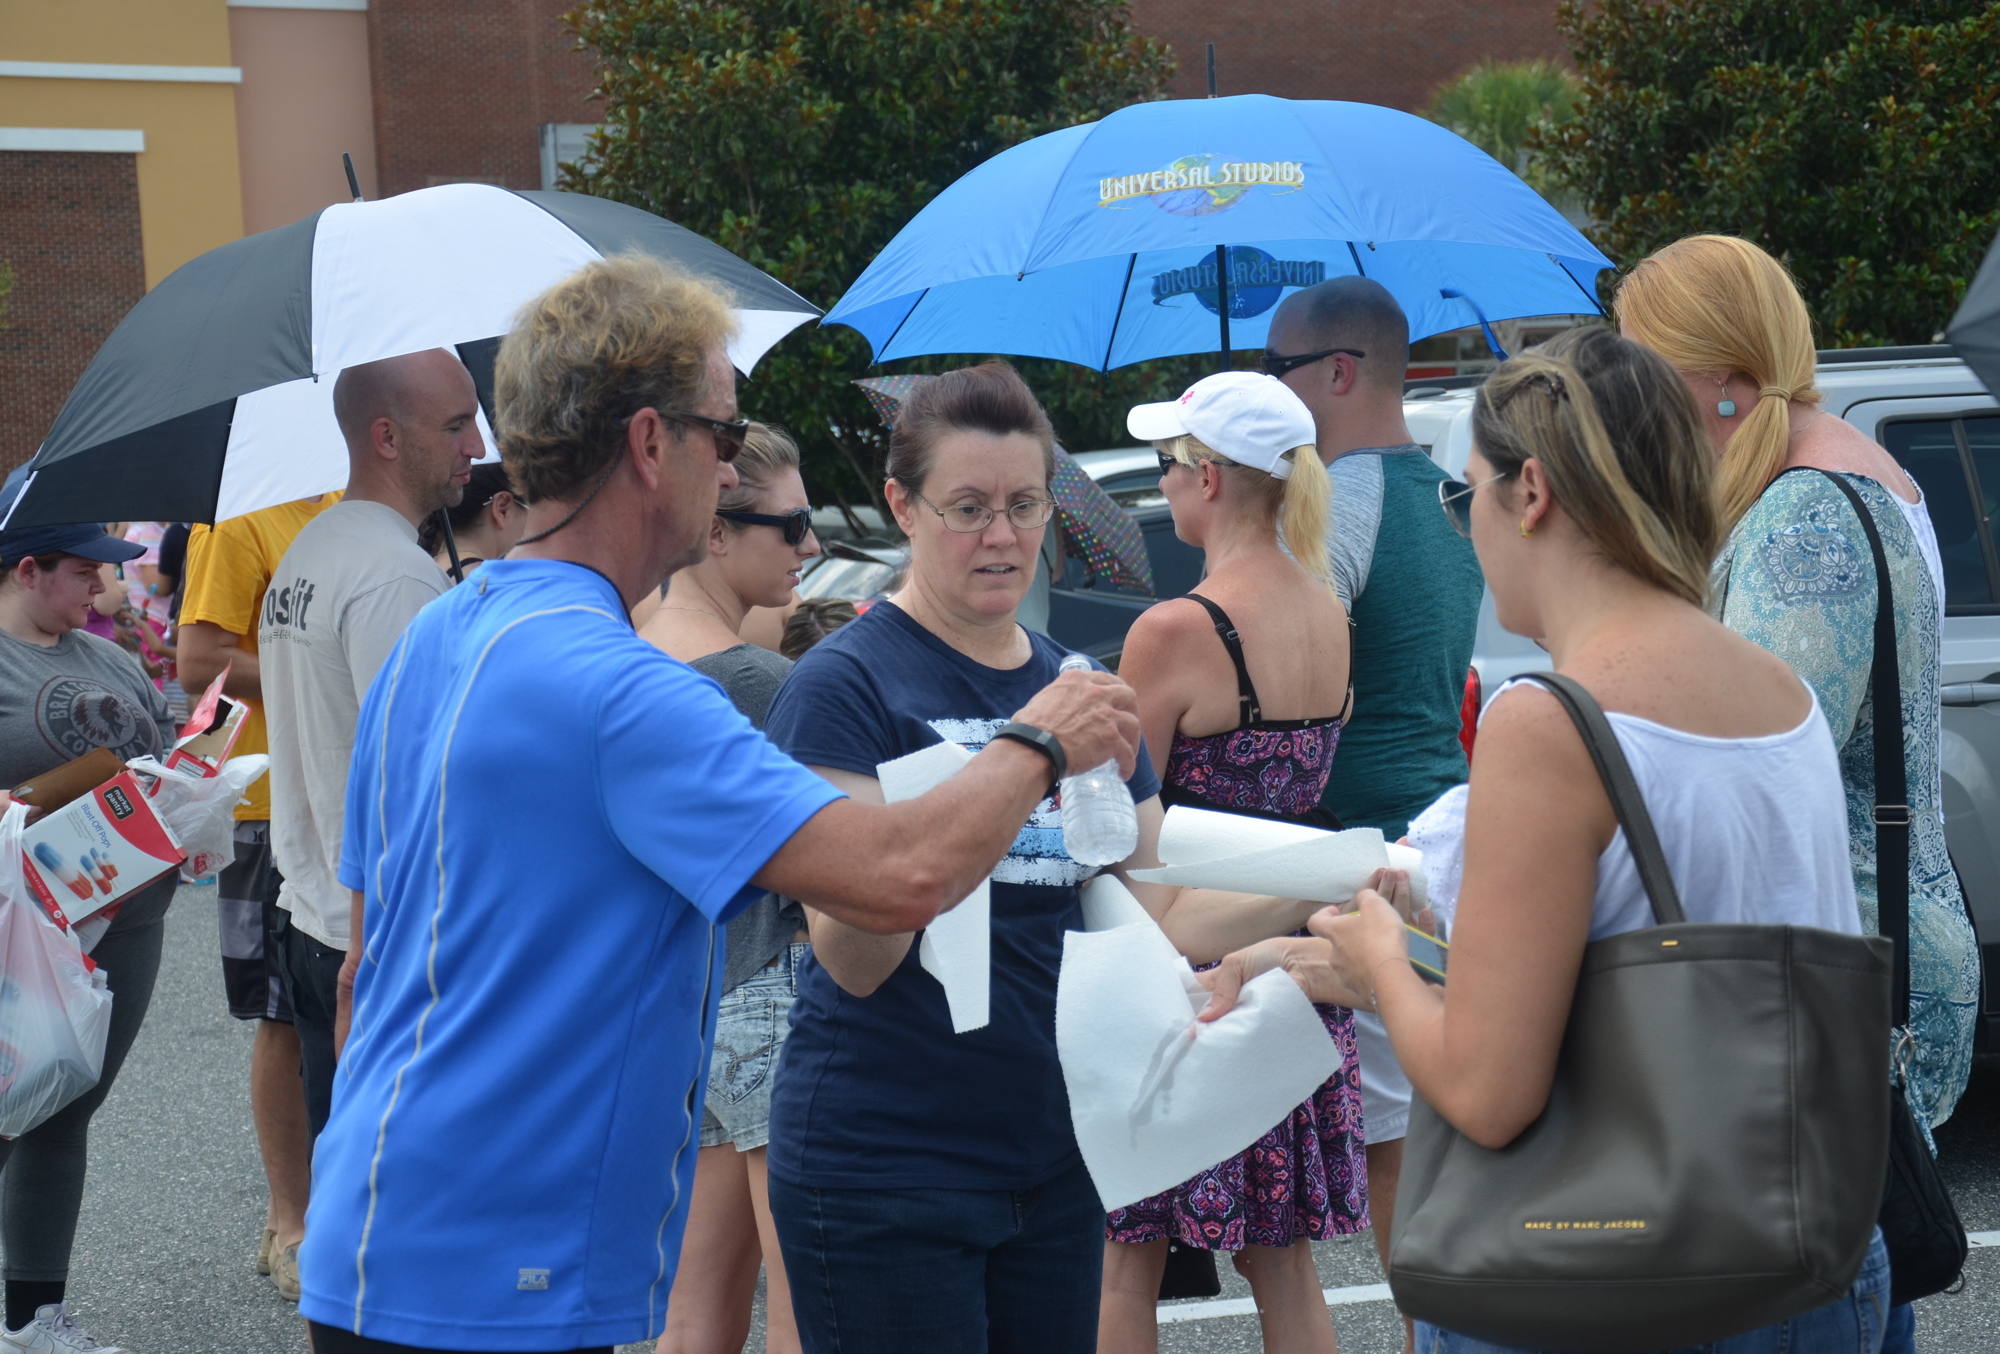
[305,99]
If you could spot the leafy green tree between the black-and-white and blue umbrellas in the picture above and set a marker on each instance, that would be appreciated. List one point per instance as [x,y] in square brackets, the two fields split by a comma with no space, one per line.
[803,135]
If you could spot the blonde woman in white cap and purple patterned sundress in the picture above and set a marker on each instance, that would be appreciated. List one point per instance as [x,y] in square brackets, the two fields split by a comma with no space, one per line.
[1243,689]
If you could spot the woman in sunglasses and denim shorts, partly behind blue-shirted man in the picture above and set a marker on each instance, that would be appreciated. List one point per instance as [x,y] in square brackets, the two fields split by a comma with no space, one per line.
[757,545]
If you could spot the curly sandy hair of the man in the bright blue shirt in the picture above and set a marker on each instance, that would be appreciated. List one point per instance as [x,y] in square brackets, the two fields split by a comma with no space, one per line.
[623,335]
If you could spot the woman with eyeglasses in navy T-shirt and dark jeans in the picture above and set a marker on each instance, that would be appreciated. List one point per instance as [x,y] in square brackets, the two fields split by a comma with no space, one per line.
[927,1185]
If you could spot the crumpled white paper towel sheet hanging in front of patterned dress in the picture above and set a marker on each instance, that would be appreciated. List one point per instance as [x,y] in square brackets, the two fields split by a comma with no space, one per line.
[1157,1097]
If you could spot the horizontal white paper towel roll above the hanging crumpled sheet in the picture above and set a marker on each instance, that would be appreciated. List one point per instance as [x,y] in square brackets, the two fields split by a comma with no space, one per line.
[1205,849]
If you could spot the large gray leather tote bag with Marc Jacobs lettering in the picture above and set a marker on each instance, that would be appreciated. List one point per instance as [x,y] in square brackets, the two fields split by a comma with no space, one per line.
[1713,1147]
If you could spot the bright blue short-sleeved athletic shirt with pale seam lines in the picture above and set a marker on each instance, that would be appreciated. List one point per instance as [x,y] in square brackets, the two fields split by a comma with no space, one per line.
[551,821]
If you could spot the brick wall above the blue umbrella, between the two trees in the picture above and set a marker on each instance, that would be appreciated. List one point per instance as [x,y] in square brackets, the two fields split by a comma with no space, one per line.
[1375,53]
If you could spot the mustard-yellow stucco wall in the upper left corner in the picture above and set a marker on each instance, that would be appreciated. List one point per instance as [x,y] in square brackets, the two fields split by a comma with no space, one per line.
[189,189]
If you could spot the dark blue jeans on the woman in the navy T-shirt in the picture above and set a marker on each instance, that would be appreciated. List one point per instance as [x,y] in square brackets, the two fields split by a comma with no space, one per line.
[945,1271]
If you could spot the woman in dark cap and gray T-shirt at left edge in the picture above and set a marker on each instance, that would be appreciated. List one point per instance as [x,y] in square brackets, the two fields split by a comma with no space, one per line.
[67,693]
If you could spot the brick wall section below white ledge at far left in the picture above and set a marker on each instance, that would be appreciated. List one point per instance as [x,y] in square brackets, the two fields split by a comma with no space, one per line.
[69,227]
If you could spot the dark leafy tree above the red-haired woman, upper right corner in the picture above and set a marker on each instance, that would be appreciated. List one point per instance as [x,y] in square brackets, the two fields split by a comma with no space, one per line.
[1853,139]
